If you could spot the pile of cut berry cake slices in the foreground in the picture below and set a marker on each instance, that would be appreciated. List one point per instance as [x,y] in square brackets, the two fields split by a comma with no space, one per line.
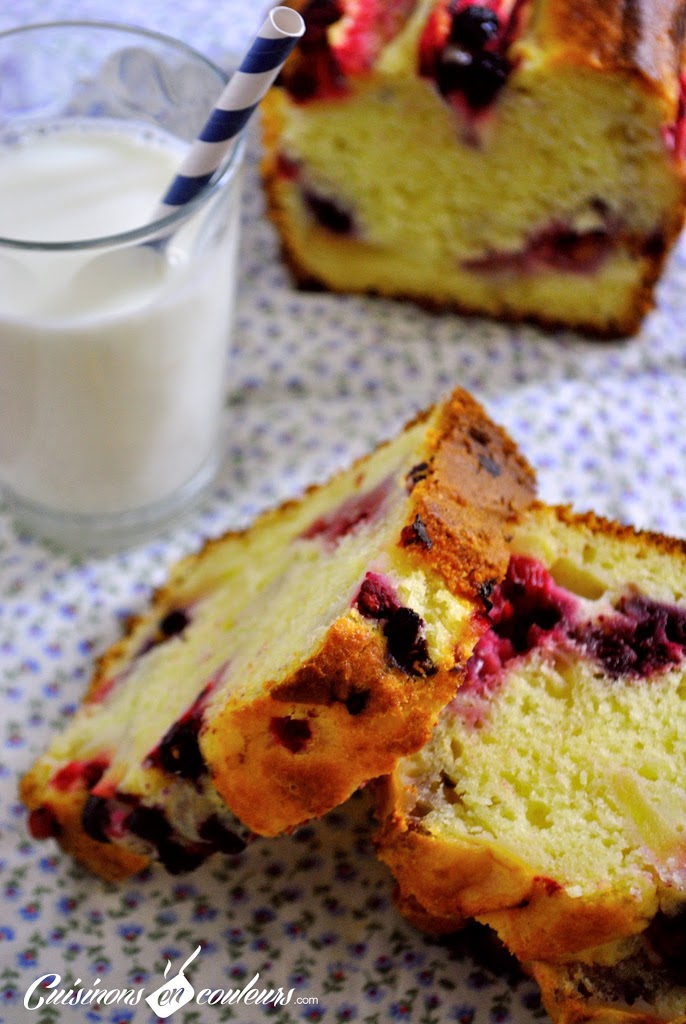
[516,673]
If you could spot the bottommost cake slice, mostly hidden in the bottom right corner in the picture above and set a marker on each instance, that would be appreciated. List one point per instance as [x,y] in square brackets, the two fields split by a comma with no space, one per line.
[647,987]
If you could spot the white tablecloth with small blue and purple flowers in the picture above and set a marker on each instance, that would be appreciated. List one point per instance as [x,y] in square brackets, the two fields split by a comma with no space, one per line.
[316,381]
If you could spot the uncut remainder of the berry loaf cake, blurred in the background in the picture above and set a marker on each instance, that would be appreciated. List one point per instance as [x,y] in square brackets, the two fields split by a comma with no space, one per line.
[523,159]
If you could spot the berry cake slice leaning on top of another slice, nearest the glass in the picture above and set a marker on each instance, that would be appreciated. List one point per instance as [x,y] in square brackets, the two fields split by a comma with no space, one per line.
[284,667]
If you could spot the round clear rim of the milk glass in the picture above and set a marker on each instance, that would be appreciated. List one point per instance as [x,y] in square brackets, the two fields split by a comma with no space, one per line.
[159,226]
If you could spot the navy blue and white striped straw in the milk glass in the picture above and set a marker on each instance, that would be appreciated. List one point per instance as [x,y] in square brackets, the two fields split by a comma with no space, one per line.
[281,31]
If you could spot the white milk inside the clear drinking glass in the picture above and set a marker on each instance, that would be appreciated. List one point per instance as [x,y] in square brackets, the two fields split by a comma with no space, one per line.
[111,365]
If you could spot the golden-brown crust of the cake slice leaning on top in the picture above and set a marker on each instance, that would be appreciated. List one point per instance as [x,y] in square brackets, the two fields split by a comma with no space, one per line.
[272,789]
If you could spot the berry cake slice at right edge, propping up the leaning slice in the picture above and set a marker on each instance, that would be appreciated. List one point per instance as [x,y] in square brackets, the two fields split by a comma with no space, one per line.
[550,802]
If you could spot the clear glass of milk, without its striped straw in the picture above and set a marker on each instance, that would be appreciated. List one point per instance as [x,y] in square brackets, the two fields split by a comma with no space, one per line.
[113,352]
